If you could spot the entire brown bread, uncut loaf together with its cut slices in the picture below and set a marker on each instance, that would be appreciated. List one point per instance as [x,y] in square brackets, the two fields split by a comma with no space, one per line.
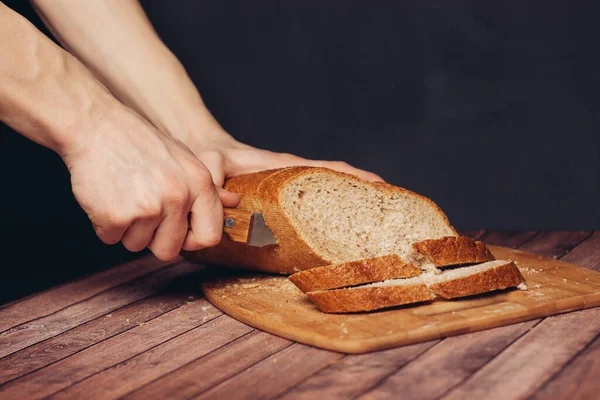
[357,245]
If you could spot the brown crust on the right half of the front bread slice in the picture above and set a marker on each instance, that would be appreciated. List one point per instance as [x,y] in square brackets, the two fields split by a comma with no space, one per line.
[501,277]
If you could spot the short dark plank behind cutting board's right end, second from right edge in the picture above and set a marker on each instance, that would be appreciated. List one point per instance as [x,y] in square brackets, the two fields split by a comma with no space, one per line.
[555,244]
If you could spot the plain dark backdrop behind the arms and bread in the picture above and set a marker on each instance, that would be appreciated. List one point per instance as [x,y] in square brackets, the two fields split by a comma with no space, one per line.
[489,108]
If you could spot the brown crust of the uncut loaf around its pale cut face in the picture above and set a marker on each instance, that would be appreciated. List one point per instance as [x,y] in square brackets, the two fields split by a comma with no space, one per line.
[261,192]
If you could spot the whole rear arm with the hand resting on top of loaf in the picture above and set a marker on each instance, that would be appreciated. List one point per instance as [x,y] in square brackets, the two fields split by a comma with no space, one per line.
[136,66]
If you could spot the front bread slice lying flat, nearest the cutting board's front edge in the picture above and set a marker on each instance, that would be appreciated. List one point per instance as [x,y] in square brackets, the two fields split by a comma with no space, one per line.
[460,282]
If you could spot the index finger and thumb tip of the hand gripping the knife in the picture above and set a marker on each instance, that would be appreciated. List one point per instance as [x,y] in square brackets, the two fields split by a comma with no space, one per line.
[206,220]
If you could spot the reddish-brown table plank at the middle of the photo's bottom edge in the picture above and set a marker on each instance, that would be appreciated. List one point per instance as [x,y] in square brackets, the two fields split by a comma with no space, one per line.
[353,375]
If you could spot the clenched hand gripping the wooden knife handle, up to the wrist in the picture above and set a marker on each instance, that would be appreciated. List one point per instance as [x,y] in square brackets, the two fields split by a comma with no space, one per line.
[138,185]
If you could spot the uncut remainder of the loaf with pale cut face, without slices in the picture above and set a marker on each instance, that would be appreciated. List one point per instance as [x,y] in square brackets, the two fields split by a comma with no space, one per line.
[322,217]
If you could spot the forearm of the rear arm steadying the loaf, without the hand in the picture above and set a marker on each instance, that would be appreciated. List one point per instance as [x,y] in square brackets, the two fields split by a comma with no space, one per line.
[115,39]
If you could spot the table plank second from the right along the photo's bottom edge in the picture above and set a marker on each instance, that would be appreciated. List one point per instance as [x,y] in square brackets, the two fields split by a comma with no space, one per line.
[532,359]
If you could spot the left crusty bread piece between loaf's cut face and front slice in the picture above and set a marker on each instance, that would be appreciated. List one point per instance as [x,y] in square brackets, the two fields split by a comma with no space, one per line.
[354,273]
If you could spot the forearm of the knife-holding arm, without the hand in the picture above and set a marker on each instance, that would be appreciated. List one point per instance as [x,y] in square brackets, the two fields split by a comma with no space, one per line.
[45,93]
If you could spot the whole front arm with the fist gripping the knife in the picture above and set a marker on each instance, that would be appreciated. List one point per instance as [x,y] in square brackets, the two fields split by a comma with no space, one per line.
[136,183]
